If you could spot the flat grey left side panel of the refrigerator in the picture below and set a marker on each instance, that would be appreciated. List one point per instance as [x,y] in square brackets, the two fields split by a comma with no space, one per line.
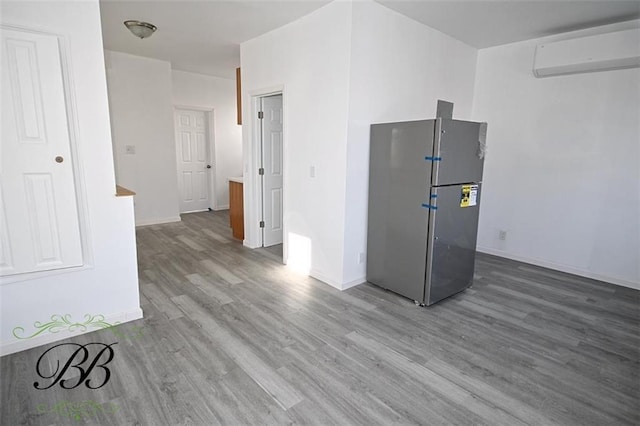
[399,181]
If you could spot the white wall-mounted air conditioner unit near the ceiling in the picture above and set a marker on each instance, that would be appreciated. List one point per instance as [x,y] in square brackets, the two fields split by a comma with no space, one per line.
[586,54]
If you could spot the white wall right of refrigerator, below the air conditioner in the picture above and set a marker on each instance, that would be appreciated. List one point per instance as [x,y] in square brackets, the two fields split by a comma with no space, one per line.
[562,173]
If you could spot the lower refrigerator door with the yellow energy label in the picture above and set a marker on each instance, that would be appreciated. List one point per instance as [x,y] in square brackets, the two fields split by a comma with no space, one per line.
[451,242]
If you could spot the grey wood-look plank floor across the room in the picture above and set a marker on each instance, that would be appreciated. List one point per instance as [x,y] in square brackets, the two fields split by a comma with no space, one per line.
[231,336]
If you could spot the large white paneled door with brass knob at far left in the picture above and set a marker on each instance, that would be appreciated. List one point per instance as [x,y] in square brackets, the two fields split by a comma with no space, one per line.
[39,223]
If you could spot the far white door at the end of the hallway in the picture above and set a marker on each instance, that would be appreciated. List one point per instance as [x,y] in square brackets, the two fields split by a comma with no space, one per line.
[192,153]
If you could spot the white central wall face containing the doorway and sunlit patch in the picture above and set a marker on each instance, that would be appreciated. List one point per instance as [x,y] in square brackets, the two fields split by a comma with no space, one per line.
[309,60]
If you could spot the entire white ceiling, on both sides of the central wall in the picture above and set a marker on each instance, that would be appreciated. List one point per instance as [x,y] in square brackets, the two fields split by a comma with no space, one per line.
[205,36]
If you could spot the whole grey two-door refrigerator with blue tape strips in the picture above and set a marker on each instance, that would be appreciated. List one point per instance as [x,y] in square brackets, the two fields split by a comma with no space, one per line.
[425,182]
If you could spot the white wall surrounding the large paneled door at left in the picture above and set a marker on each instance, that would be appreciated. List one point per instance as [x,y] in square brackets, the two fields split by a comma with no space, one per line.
[109,283]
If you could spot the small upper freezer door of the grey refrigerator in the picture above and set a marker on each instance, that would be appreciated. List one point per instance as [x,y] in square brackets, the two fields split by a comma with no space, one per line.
[457,152]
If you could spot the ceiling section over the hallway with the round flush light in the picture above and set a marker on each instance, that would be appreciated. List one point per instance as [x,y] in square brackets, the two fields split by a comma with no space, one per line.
[197,36]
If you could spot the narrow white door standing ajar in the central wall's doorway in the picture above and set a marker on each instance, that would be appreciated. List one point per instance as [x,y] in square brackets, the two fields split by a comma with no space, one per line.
[272,163]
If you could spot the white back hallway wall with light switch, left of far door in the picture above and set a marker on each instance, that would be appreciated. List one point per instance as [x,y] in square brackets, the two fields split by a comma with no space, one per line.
[140,101]
